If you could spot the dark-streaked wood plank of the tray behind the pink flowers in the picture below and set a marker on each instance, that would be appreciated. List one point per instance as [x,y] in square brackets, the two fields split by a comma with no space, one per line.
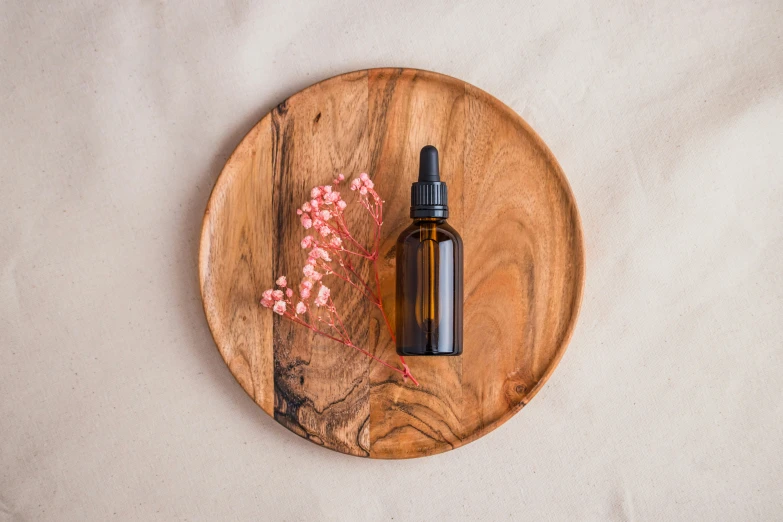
[315,139]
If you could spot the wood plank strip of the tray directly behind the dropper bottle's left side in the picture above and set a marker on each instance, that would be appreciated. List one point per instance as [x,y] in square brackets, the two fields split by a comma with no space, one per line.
[410,109]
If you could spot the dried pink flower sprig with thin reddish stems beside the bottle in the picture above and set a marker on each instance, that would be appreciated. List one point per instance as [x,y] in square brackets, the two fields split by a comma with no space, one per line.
[334,251]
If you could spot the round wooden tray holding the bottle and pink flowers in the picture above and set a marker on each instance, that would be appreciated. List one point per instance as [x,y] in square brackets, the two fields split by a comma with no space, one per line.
[524,262]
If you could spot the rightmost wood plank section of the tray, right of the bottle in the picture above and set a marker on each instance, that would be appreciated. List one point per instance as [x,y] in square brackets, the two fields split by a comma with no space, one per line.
[524,263]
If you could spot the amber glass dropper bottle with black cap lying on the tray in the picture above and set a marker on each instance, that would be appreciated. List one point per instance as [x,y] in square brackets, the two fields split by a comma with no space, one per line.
[429,270]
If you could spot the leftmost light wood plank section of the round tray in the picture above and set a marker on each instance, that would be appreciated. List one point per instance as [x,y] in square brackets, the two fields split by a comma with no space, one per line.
[234,262]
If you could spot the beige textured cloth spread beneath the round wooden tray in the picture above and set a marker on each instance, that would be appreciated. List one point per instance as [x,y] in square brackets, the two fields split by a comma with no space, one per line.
[116,117]
